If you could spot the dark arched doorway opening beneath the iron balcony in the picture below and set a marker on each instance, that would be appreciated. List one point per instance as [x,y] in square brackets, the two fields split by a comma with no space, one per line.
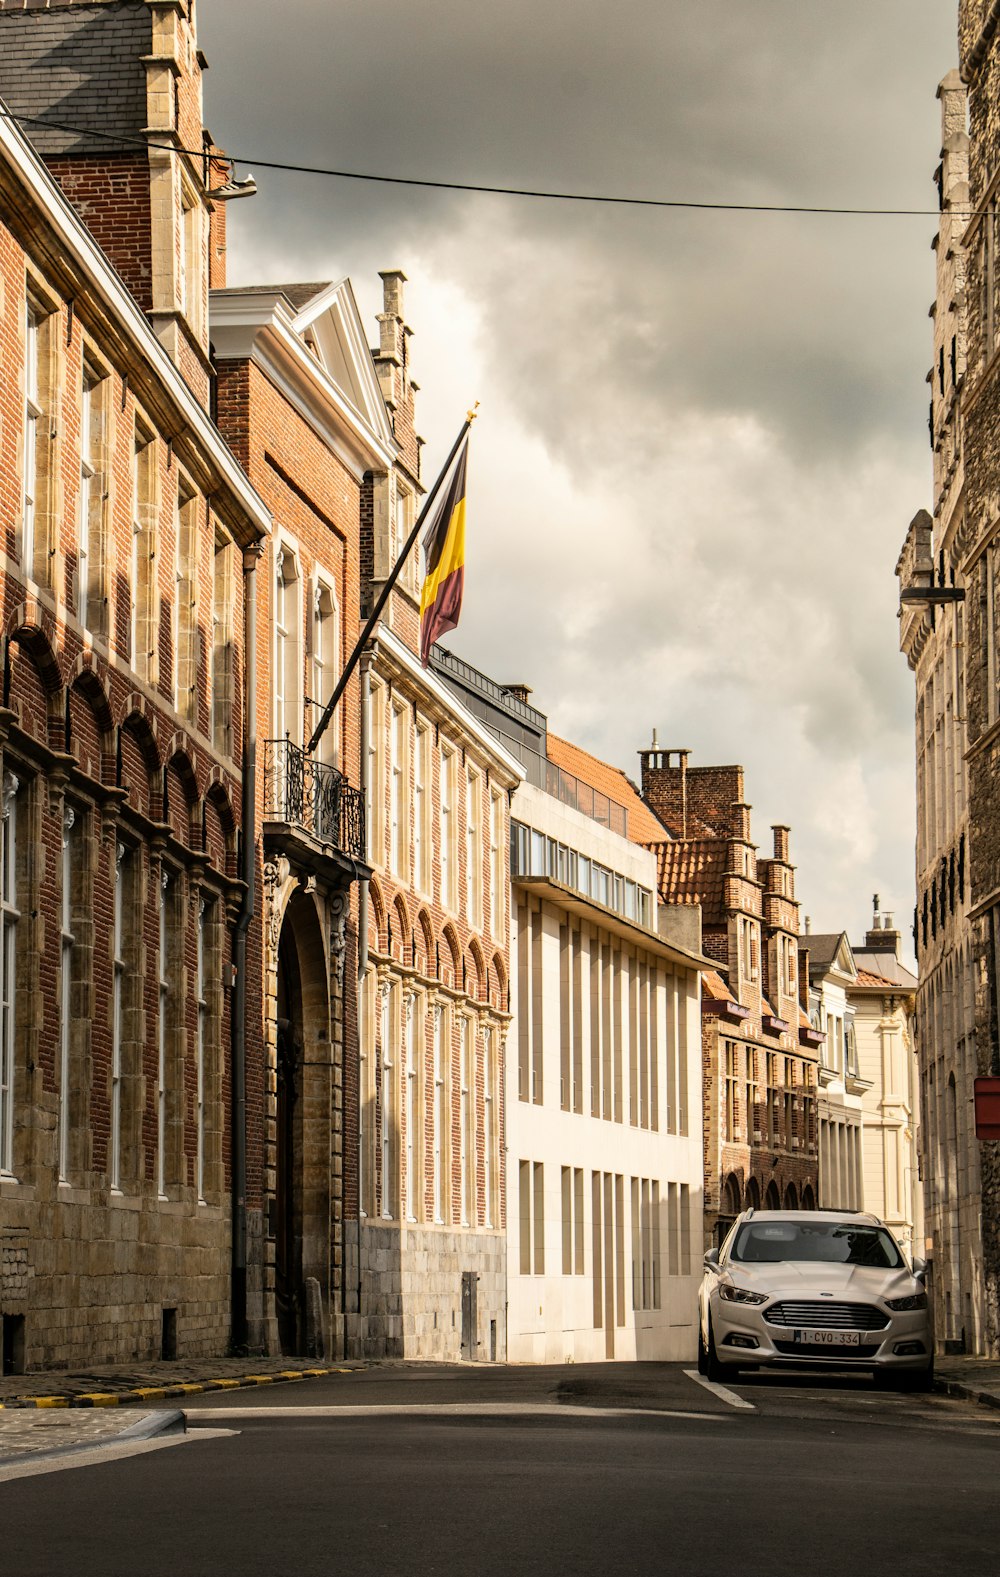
[304,1127]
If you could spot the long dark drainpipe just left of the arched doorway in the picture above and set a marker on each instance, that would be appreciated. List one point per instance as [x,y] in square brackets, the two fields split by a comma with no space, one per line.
[247,914]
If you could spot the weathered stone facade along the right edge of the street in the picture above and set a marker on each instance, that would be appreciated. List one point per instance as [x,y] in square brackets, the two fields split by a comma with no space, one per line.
[950,632]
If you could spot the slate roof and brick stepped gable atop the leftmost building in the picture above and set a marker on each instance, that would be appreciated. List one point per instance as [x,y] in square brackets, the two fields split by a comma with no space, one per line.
[130,69]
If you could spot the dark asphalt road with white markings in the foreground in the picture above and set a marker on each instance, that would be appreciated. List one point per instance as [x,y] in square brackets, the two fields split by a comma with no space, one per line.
[599,1469]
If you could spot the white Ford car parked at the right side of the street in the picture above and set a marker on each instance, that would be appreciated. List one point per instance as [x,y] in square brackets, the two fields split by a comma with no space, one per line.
[815,1289]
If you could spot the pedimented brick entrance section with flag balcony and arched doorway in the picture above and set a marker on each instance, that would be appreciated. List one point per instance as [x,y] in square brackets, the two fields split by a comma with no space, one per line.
[299,400]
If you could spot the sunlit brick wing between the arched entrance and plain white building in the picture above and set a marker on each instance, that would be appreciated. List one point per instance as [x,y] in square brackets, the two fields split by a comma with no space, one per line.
[425,1234]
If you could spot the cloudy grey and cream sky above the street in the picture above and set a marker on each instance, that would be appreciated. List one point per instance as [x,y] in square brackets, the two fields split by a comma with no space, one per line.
[703,436]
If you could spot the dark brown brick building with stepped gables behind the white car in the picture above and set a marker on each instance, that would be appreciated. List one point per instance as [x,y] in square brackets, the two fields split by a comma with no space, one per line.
[759,1051]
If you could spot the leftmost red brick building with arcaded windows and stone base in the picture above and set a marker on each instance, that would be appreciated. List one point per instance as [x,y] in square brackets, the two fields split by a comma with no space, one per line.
[129,543]
